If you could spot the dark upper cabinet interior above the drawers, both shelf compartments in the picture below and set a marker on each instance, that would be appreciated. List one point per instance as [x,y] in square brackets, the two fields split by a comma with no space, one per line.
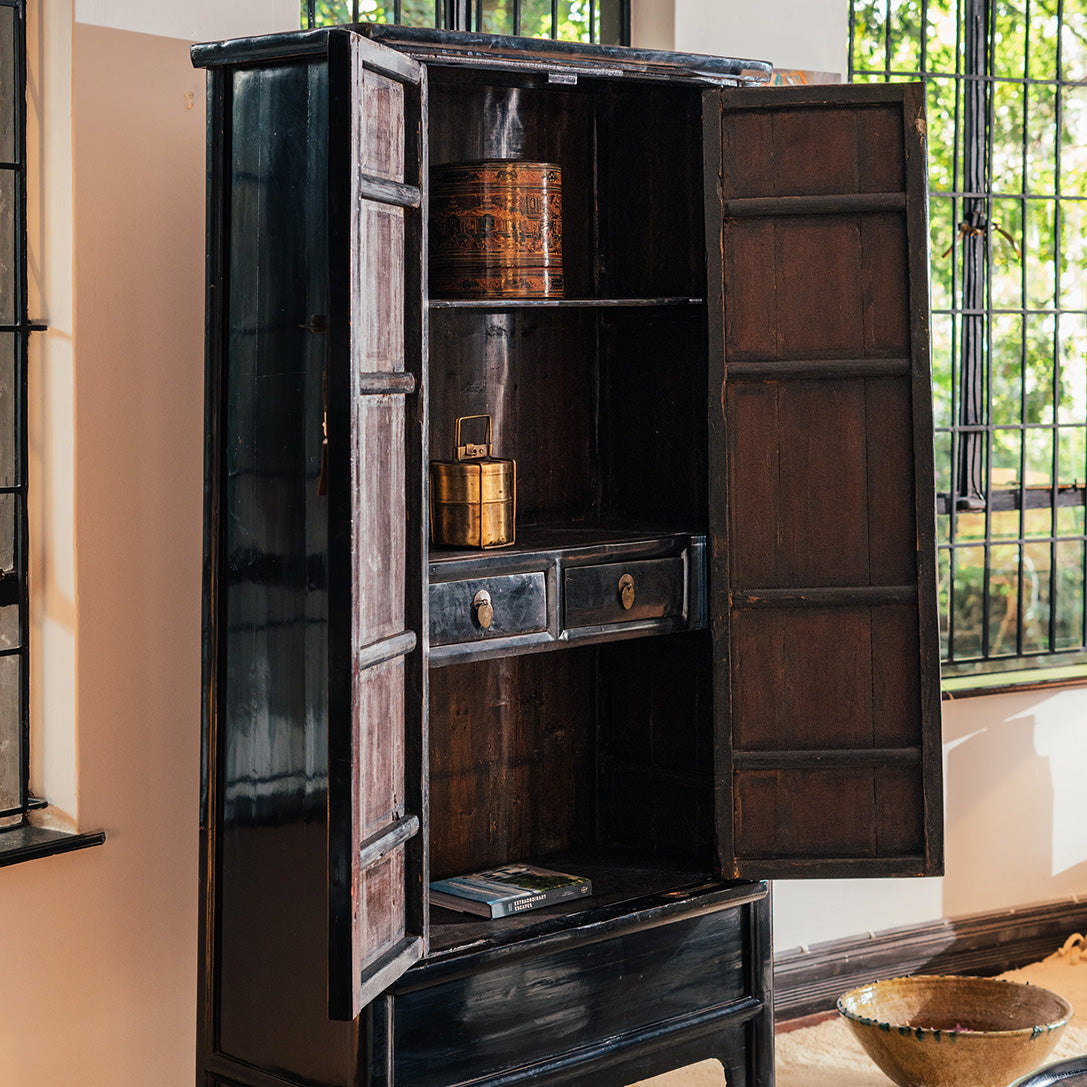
[595,404]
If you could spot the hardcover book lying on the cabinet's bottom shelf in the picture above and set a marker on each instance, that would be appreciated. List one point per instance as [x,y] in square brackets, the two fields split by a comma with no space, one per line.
[513,889]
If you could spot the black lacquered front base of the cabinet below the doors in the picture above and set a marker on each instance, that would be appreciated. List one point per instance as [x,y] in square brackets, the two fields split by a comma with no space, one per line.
[617,1001]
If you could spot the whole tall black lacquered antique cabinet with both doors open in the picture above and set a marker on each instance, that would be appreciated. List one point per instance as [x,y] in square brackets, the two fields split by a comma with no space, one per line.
[730,406]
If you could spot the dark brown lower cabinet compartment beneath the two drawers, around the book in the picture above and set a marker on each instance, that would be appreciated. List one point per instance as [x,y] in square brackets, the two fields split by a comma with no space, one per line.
[596,760]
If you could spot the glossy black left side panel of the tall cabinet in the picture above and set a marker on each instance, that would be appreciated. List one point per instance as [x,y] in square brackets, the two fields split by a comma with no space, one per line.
[265,964]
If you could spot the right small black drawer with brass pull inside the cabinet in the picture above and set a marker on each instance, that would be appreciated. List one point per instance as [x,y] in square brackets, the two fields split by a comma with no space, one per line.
[626,592]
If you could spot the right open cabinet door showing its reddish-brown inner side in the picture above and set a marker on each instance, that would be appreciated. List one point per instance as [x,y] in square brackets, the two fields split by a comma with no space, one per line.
[827,654]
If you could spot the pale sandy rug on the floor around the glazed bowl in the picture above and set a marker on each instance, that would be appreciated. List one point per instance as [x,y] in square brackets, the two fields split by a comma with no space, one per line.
[828,1056]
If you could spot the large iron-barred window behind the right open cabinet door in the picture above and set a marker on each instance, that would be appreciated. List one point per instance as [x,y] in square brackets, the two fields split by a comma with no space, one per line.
[1007,92]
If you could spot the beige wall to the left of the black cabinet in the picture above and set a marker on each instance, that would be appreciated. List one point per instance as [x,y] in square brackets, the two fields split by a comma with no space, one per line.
[99,953]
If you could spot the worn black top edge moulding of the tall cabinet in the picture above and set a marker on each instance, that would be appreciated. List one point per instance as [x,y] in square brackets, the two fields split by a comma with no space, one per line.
[560,61]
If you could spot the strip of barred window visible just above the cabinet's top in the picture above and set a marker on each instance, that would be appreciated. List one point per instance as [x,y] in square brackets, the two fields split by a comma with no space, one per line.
[606,22]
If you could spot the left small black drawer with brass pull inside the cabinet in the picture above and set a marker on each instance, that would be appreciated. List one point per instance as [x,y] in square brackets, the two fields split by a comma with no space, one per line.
[518,605]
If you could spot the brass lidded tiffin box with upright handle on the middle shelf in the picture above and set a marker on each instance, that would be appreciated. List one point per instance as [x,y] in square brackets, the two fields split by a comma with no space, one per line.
[473,498]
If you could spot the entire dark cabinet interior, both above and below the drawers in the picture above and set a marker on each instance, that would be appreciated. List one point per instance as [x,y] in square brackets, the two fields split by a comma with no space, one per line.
[597,757]
